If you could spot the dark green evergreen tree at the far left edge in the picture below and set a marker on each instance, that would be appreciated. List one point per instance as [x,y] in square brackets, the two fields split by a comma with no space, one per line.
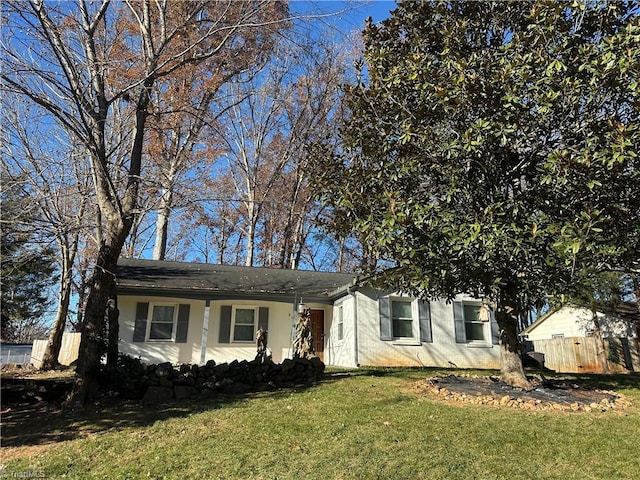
[27,269]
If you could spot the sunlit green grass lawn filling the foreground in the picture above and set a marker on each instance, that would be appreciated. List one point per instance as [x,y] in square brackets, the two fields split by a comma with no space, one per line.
[361,425]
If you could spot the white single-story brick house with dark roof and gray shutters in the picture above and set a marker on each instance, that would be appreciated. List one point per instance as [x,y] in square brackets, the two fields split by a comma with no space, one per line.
[191,312]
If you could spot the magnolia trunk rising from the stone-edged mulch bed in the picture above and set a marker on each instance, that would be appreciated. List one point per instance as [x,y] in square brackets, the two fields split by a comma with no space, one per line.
[511,369]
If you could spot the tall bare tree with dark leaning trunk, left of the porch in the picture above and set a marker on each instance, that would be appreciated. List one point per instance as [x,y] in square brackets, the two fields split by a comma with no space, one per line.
[76,61]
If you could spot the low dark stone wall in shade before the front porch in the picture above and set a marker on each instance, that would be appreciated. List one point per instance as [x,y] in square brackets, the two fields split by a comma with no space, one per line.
[164,382]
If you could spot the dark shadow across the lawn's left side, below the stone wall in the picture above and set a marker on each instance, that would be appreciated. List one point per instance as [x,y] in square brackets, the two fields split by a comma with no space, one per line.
[41,422]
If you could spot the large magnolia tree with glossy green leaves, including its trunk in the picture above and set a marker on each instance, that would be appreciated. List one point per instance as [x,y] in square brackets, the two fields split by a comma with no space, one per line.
[493,149]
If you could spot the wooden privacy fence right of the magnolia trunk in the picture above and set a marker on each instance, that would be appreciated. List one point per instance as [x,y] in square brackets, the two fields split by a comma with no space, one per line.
[580,355]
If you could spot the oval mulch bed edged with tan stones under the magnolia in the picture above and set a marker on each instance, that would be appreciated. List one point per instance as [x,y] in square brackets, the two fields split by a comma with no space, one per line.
[546,394]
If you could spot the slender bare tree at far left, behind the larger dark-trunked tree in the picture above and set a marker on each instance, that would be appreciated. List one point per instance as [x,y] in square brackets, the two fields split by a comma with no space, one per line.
[59,185]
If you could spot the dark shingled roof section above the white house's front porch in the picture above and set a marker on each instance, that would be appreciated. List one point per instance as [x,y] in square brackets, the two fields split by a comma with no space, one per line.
[204,280]
